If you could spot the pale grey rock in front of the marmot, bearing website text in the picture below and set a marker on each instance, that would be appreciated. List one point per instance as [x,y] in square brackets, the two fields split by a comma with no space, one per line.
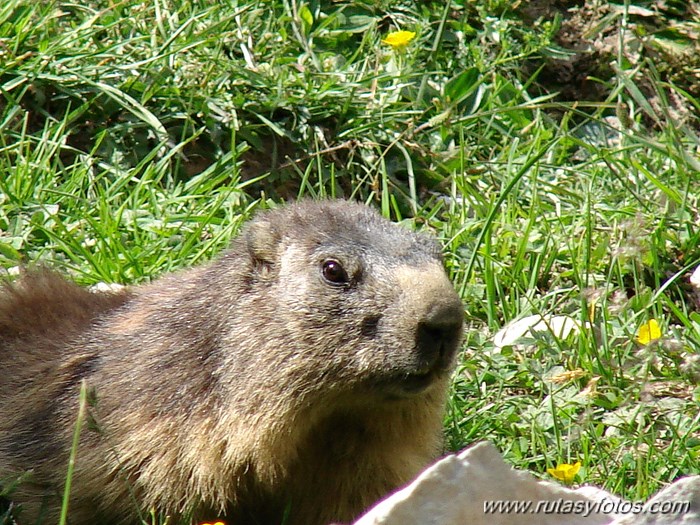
[459,490]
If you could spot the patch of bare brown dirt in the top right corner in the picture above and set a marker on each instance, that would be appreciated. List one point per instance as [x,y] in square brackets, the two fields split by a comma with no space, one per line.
[651,42]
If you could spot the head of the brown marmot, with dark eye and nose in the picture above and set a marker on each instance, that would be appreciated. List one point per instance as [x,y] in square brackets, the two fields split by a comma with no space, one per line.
[366,301]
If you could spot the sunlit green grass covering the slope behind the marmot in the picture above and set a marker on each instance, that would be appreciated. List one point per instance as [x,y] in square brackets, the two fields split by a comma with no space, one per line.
[135,139]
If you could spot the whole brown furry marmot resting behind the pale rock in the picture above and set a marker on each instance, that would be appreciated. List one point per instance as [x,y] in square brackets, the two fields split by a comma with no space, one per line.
[298,378]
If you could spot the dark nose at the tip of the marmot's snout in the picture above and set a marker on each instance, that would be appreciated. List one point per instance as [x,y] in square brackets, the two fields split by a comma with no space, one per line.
[439,332]
